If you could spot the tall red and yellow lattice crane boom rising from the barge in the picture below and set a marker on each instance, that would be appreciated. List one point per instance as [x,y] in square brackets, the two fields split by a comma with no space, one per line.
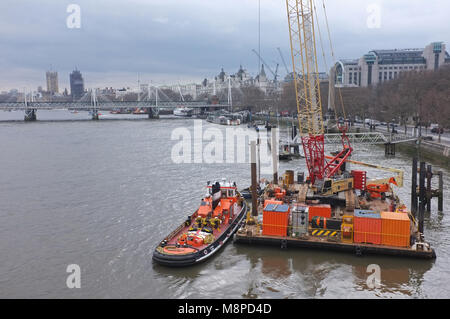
[301,18]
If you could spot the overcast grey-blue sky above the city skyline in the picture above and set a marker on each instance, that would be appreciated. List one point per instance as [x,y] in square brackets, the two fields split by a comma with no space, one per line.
[180,41]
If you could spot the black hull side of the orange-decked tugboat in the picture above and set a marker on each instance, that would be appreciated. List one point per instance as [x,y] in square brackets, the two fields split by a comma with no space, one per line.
[206,253]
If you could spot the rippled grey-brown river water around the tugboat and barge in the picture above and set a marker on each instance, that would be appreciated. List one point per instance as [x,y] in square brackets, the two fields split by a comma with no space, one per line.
[102,194]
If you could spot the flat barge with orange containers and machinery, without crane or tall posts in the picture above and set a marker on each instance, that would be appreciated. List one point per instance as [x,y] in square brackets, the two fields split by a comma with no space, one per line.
[290,215]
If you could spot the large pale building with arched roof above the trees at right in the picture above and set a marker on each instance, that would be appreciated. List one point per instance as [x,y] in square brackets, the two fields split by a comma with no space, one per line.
[379,66]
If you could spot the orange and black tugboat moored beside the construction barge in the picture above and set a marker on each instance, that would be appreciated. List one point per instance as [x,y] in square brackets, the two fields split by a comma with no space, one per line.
[219,216]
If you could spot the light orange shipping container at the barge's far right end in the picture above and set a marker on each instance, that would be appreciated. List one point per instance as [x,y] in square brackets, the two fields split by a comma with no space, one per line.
[395,229]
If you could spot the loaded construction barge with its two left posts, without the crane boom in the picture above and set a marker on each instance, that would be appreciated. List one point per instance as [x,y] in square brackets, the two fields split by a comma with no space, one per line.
[348,212]
